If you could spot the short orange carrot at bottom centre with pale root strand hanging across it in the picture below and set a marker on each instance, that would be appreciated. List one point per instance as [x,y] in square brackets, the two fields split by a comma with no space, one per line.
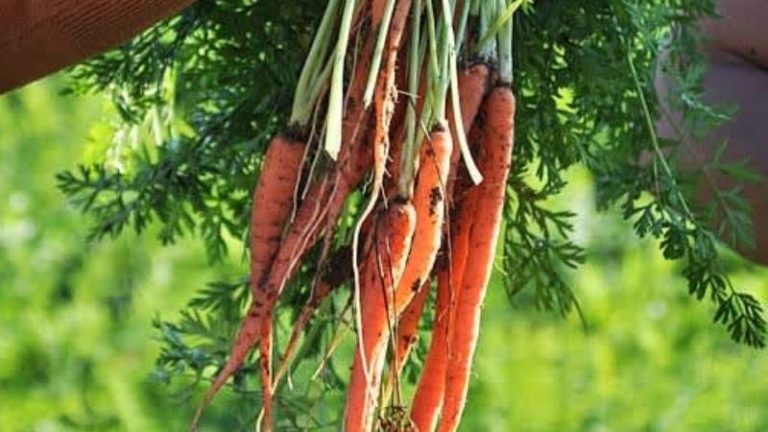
[380,272]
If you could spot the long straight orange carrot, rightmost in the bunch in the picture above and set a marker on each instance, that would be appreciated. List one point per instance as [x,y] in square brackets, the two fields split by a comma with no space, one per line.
[495,161]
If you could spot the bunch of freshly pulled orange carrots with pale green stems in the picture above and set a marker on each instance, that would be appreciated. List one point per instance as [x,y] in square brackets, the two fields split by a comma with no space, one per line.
[410,102]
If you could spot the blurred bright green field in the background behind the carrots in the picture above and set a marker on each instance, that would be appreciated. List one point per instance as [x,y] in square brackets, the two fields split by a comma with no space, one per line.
[77,346]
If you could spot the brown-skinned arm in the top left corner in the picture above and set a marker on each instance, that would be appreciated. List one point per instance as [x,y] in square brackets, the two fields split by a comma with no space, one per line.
[38,37]
